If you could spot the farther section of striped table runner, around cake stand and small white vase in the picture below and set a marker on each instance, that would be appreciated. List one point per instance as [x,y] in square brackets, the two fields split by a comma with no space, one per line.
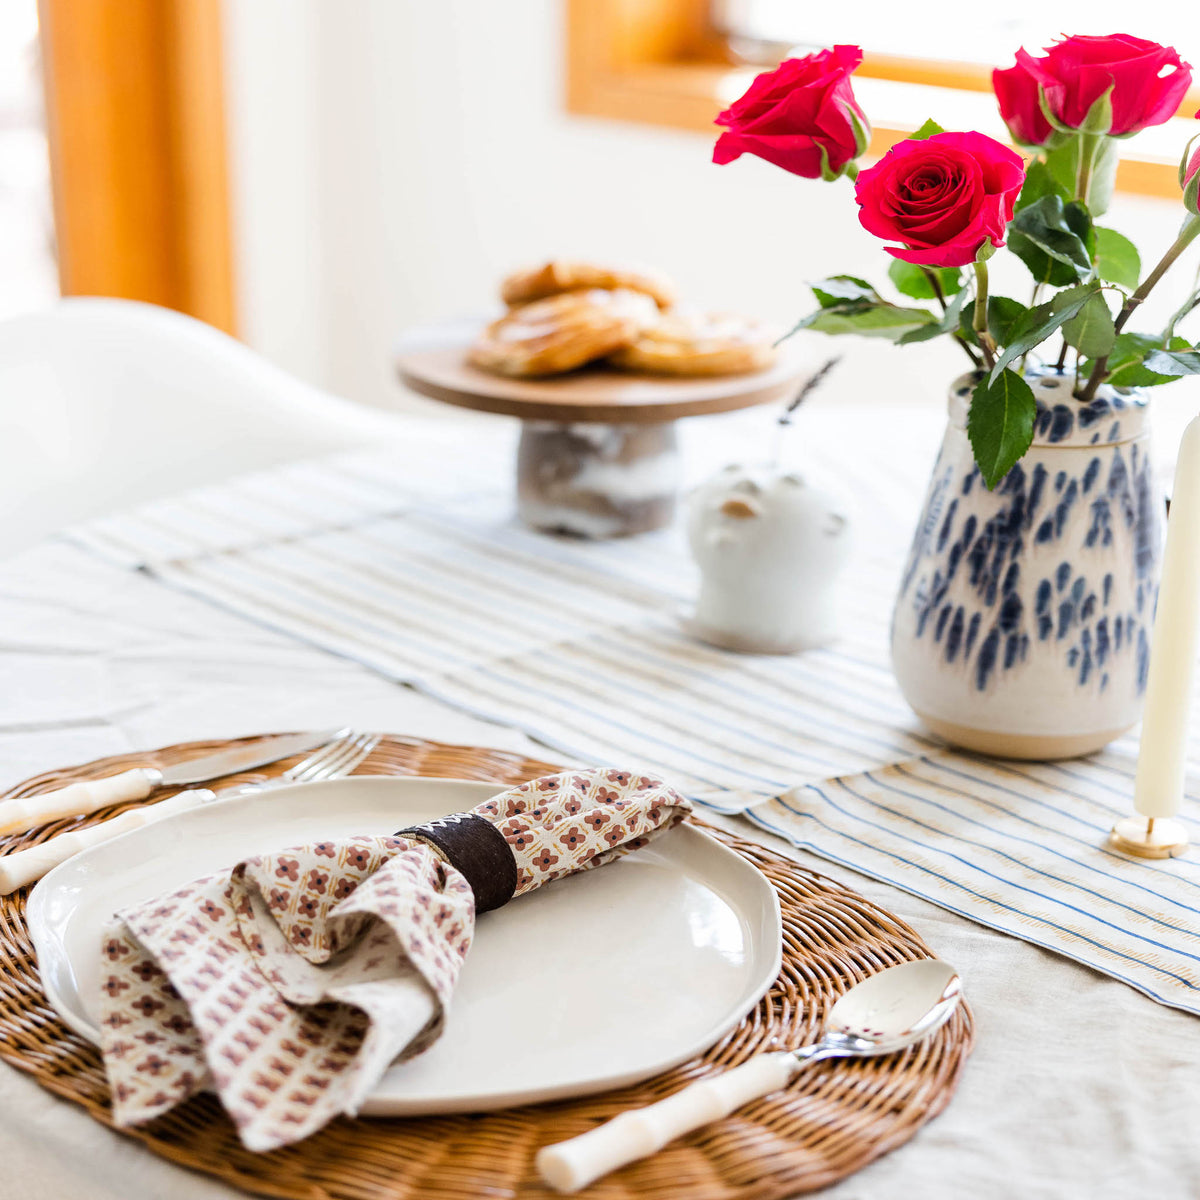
[577,644]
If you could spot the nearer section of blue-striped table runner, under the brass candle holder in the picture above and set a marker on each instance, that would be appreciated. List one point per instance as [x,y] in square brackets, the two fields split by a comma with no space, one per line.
[1019,848]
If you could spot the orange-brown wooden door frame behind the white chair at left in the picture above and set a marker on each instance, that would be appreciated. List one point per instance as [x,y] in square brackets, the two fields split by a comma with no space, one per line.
[135,113]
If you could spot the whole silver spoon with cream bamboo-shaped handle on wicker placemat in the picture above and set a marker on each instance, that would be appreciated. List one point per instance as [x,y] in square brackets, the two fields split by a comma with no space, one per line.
[883,1015]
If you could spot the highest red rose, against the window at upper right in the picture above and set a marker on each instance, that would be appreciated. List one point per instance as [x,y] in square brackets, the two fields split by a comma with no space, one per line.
[1149,82]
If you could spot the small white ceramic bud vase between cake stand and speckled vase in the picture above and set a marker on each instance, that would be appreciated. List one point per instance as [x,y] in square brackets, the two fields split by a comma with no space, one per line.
[770,545]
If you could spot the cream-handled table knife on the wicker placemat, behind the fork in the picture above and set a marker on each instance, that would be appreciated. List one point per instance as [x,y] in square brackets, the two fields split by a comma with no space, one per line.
[77,800]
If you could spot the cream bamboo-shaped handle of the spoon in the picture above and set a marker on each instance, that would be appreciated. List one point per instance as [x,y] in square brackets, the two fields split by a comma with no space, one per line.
[571,1166]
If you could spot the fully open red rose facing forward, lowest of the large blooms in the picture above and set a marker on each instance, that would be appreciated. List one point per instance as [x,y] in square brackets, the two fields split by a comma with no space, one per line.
[943,197]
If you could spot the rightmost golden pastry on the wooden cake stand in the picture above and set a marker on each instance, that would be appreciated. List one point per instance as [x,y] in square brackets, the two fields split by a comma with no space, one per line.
[712,345]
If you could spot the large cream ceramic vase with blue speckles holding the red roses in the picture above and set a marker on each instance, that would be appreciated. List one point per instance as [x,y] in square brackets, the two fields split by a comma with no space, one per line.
[1023,623]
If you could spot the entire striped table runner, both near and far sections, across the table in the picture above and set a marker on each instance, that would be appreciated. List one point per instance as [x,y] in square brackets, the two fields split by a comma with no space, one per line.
[427,579]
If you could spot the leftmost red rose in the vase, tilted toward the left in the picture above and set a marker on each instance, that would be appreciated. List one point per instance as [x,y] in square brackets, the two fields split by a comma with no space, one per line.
[802,117]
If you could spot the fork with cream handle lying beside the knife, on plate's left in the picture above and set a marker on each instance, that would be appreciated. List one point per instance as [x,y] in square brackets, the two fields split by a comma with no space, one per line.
[332,761]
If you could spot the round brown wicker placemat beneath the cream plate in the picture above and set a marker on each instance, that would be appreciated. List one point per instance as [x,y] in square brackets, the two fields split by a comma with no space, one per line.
[837,1118]
